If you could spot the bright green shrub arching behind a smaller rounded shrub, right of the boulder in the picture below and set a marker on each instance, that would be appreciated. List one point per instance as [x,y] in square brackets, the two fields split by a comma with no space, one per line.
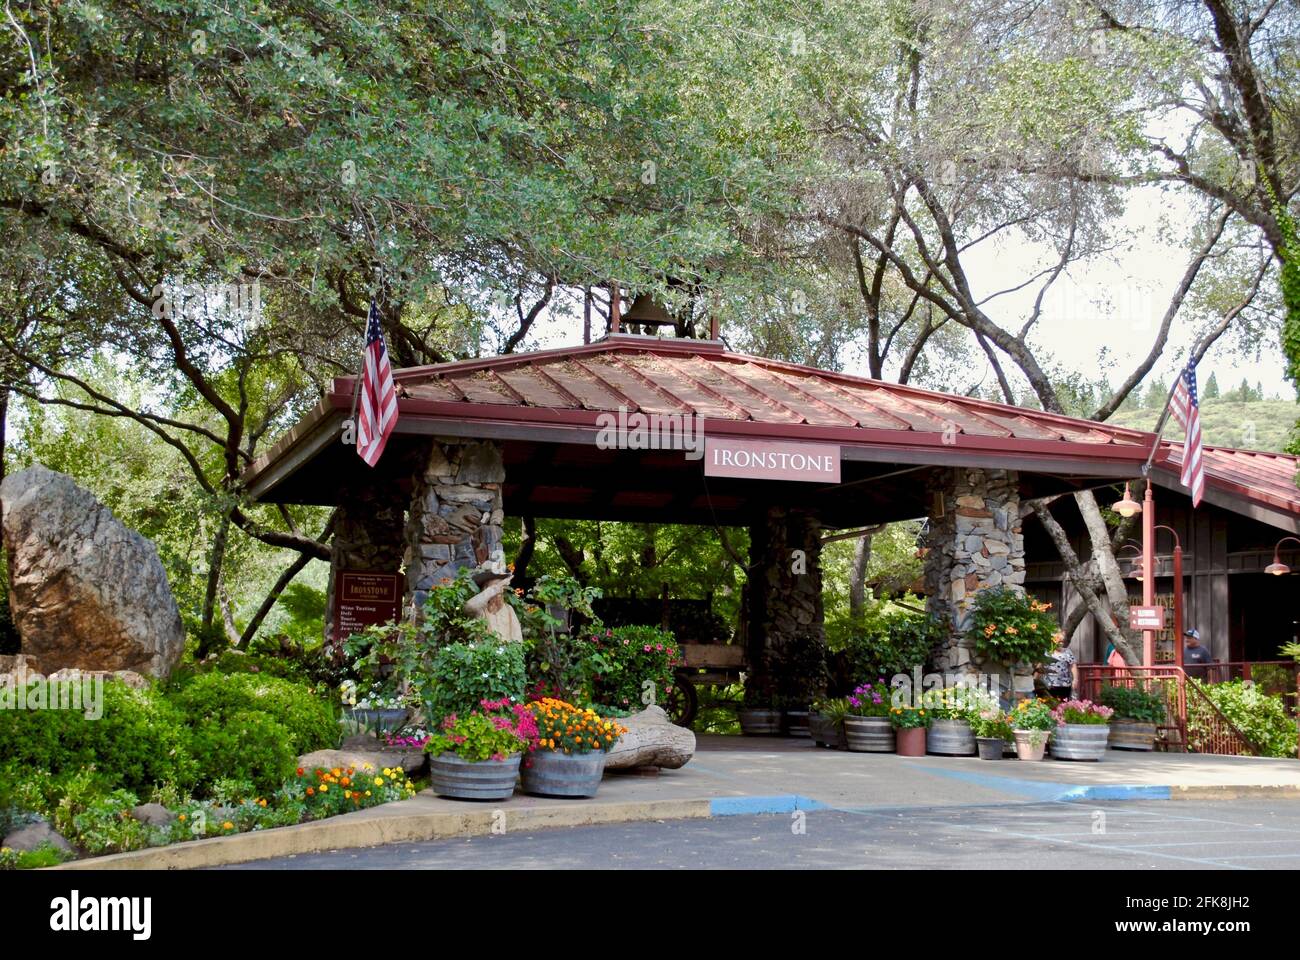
[309,721]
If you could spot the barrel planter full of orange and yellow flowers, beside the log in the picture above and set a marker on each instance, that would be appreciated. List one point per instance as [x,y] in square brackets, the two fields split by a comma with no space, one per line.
[569,750]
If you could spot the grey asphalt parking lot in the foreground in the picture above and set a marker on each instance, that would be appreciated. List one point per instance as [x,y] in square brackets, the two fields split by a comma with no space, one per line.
[1168,836]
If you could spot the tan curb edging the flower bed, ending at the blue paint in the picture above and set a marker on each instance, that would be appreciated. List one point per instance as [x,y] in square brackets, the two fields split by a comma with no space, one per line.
[370,831]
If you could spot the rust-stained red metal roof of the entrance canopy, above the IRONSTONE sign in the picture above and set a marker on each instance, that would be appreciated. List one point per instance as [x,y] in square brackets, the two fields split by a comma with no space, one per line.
[738,393]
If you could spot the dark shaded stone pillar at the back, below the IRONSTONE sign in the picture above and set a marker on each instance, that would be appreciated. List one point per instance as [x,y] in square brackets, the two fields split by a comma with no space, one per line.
[786,646]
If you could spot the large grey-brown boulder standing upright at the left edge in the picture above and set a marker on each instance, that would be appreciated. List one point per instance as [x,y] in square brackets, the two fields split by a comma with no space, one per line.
[85,590]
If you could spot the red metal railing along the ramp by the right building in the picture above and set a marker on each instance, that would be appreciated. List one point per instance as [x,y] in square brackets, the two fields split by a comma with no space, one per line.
[1193,720]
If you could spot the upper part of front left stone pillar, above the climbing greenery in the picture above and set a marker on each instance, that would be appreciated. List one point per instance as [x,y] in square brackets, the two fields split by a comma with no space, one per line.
[456,516]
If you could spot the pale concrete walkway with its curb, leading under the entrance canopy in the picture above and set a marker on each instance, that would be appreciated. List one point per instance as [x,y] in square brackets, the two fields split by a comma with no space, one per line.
[743,776]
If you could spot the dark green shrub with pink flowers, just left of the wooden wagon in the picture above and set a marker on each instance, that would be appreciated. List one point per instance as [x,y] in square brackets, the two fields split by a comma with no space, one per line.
[630,667]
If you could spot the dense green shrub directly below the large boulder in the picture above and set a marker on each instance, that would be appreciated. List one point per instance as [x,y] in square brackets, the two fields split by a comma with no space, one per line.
[140,741]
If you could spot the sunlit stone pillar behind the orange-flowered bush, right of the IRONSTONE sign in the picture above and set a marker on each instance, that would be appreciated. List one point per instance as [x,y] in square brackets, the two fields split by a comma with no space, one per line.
[977,543]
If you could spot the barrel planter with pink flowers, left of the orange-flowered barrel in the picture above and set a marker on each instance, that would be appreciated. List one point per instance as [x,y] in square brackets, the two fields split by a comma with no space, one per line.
[476,756]
